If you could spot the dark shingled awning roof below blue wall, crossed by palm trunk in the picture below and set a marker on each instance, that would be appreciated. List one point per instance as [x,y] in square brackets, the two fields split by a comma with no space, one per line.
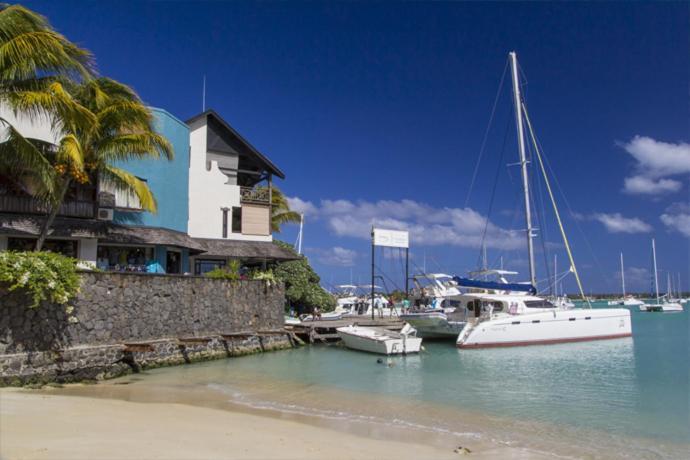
[105,231]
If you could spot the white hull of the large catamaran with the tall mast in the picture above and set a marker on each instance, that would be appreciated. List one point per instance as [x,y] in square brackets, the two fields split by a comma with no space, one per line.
[545,328]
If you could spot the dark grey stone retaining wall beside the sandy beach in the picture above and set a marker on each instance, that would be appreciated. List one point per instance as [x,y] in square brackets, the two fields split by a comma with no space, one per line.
[158,312]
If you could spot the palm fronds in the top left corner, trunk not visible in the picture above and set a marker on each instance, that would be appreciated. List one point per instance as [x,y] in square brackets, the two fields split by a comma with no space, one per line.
[35,64]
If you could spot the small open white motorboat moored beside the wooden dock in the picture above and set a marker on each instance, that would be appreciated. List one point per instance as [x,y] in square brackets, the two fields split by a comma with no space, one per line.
[379,340]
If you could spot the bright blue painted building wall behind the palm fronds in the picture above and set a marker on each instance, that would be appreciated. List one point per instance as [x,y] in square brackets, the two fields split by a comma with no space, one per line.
[169,180]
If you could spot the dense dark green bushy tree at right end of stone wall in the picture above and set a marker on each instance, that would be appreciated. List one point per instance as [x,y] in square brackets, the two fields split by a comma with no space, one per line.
[302,288]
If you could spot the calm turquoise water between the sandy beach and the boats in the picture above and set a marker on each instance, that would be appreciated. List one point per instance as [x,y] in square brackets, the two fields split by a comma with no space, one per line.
[631,396]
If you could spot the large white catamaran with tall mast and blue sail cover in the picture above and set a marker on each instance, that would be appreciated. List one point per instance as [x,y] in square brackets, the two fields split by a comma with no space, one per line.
[519,317]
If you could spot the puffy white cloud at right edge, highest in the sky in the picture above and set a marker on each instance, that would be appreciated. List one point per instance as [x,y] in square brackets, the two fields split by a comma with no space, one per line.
[656,161]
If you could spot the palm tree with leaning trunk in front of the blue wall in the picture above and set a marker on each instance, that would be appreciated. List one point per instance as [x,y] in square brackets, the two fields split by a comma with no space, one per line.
[122,130]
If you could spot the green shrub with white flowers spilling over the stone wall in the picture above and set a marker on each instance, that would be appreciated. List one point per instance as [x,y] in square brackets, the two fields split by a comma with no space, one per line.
[43,275]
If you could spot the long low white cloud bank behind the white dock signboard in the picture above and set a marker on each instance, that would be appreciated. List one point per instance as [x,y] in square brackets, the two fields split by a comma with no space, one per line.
[427,225]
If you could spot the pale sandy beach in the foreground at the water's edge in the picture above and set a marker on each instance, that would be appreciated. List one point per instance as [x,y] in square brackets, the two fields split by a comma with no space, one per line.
[86,427]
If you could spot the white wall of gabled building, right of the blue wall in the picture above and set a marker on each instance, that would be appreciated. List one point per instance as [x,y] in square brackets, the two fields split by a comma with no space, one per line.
[209,192]
